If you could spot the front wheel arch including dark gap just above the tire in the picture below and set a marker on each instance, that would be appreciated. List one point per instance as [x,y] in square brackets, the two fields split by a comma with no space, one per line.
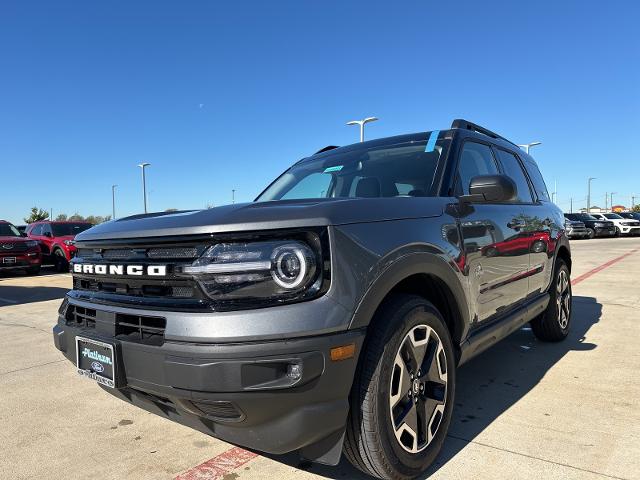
[428,276]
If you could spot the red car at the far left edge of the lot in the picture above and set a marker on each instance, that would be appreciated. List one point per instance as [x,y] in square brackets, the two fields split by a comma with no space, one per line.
[17,252]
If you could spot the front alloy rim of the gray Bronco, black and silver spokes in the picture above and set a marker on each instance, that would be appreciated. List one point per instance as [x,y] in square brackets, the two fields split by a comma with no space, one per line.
[418,391]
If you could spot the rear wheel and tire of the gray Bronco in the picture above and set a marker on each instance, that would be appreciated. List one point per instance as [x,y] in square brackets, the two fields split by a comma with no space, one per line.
[554,324]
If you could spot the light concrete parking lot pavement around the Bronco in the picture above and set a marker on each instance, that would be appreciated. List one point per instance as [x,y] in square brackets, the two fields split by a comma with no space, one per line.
[525,409]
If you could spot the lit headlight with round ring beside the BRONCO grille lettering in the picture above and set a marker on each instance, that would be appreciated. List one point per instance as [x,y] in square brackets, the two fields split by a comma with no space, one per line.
[262,273]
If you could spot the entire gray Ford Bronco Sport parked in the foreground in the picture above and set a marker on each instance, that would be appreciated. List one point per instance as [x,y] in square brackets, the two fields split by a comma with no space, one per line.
[331,314]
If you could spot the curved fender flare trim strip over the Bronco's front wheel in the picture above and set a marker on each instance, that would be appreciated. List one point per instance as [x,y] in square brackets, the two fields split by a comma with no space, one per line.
[404,267]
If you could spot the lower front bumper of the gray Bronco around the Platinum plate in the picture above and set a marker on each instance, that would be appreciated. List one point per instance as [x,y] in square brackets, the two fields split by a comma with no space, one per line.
[239,392]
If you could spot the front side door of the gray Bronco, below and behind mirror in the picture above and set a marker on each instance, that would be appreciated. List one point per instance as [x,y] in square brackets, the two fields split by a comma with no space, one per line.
[494,240]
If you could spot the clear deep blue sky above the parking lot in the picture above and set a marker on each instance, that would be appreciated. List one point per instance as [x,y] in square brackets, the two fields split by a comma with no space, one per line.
[226,95]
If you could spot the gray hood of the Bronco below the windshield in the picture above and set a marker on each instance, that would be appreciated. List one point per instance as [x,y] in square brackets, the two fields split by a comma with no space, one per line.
[267,216]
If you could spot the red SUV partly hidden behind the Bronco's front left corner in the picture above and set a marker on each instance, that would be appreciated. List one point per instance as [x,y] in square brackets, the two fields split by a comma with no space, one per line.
[56,240]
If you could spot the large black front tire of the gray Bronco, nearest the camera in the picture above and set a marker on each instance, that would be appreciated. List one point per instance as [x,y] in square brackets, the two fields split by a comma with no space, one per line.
[371,442]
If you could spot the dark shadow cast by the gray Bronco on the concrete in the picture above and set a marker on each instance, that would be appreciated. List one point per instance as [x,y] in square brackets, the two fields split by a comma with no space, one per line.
[490,384]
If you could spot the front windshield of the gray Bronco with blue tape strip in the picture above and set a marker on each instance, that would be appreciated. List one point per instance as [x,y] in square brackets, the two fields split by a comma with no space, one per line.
[405,169]
